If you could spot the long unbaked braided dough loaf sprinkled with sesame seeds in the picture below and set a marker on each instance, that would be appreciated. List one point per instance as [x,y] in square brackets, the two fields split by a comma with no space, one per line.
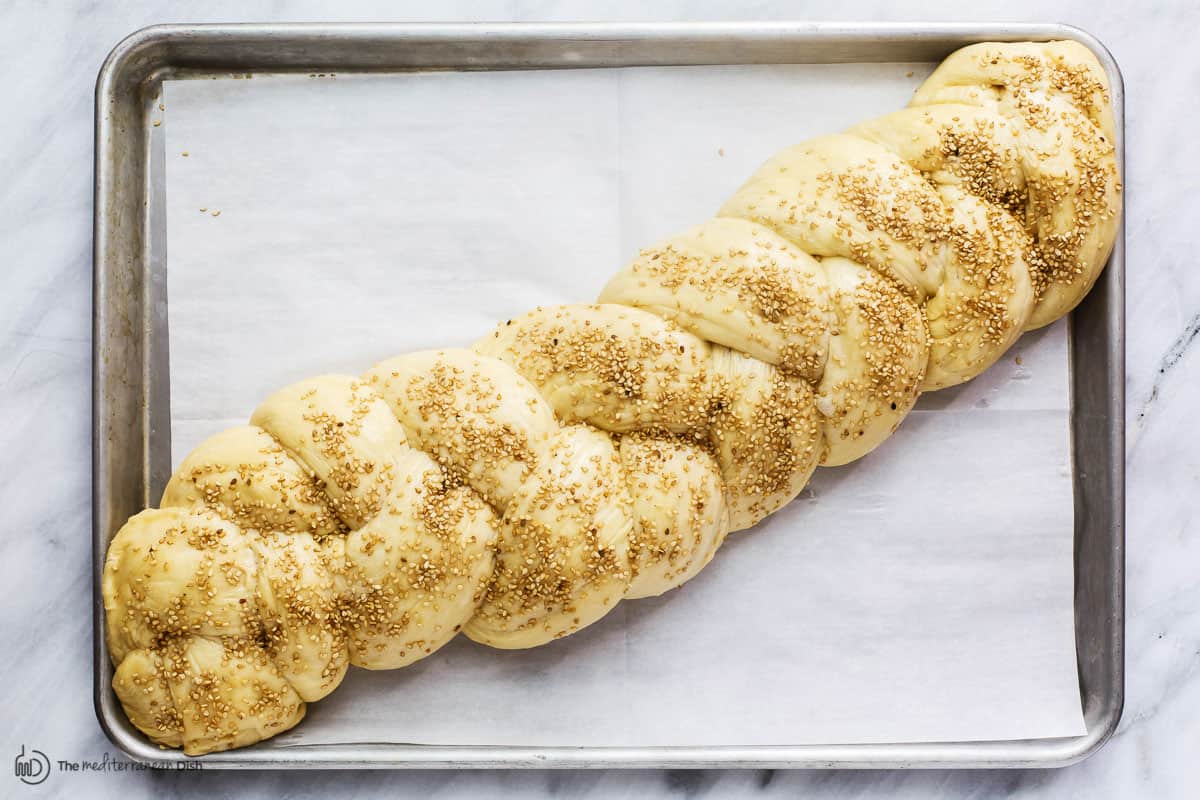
[581,455]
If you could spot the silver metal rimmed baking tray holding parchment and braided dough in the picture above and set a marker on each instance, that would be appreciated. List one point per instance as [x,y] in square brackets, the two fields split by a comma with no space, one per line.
[131,404]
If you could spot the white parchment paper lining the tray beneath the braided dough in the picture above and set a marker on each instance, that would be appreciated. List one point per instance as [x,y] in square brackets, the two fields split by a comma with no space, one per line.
[922,594]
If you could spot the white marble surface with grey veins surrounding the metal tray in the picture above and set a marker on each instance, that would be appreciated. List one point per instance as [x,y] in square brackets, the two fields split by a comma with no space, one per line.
[49,62]
